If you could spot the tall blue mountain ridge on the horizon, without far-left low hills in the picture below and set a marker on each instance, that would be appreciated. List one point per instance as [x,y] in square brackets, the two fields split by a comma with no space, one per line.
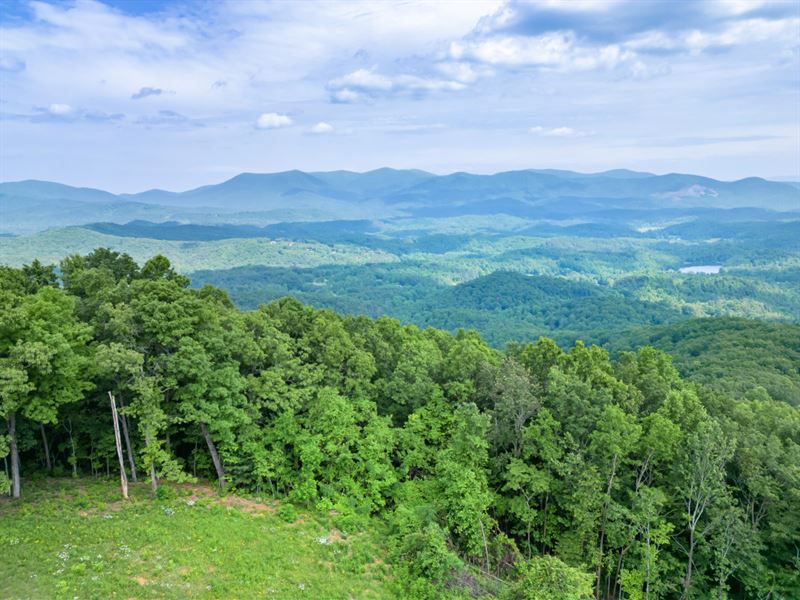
[415,189]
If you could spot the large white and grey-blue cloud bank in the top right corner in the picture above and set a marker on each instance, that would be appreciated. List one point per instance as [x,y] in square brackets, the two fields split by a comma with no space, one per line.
[571,35]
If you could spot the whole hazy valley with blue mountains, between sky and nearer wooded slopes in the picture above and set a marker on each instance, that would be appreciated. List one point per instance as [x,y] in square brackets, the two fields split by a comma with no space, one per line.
[514,255]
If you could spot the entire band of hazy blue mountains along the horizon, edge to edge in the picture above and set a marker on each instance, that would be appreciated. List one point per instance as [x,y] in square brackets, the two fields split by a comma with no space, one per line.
[29,206]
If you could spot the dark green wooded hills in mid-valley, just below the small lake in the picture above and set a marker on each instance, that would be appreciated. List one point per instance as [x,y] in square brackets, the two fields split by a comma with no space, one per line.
[507,306]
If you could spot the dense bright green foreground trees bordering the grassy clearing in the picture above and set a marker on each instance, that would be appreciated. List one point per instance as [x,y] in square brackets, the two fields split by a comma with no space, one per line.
[533,473]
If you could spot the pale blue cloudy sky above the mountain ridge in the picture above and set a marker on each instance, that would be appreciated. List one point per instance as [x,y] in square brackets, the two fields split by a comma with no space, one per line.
[127,95]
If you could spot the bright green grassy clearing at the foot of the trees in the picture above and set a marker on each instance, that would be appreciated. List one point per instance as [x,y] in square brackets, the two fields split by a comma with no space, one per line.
[76,539]
